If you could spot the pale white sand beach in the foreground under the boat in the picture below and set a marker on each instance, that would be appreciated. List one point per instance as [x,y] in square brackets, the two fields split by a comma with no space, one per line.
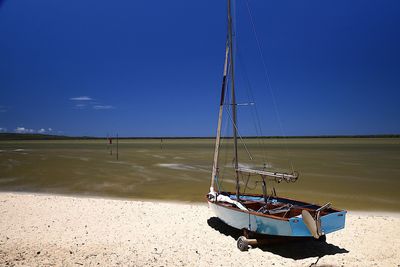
[43,230]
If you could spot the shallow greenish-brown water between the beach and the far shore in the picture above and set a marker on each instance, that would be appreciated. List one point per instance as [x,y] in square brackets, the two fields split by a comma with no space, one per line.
[351,173]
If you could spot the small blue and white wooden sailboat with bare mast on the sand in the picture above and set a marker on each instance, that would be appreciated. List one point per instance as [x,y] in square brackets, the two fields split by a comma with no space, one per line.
[262,214]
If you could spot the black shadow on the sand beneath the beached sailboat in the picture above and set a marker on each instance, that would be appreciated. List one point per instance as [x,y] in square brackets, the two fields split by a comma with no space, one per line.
[294,248]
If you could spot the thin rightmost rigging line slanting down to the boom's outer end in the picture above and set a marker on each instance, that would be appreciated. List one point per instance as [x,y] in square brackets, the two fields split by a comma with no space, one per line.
[268,82]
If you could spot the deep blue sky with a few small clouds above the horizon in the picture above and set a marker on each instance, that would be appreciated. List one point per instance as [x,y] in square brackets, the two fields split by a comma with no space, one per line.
[153,68]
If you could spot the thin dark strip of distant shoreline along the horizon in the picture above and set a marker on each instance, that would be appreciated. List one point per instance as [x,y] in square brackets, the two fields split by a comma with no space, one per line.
[18,136]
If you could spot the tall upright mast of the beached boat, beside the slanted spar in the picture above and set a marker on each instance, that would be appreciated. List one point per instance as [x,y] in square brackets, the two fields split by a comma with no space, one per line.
[234,119]
